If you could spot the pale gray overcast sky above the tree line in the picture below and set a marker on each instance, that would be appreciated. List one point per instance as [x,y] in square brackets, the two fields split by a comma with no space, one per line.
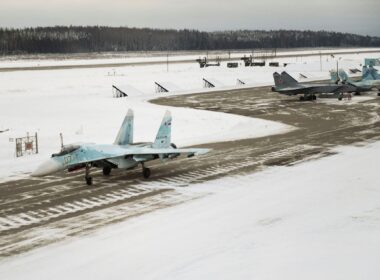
[359,16]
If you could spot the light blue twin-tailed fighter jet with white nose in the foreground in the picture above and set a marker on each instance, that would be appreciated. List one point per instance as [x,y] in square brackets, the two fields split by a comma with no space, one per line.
[123,153]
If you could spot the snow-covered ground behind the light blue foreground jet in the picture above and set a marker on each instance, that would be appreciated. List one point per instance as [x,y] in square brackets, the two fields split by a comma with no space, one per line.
[79,103]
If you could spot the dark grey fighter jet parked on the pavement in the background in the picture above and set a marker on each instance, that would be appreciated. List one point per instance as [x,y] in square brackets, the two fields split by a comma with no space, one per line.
[285,84]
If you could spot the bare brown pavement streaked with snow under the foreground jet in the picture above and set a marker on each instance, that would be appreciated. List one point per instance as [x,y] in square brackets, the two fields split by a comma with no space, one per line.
[36,212]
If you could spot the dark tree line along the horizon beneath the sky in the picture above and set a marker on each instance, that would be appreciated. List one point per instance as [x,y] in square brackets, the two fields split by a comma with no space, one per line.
[76,39]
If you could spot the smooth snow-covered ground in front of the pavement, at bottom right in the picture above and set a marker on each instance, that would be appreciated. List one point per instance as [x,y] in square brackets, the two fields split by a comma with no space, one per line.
[316,220]
